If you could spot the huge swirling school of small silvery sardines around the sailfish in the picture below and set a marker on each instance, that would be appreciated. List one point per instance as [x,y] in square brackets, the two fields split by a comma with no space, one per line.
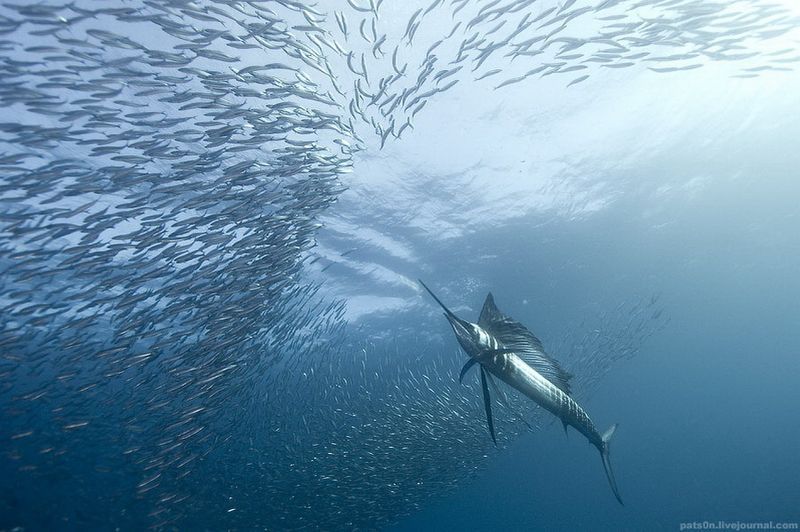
[163,169]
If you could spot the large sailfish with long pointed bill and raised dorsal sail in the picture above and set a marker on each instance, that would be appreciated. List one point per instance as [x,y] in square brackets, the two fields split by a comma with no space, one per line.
[504,348]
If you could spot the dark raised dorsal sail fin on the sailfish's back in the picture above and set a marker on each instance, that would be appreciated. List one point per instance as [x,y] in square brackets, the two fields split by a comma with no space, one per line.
[513,335]
